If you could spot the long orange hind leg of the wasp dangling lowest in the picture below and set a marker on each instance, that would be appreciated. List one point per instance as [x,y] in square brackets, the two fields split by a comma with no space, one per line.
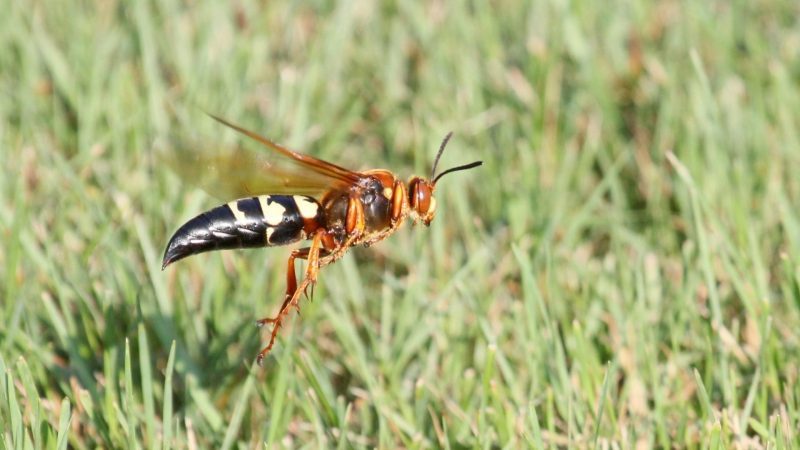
[293,290]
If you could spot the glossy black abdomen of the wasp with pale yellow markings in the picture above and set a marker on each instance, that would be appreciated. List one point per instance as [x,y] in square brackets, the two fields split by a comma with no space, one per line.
[266,220]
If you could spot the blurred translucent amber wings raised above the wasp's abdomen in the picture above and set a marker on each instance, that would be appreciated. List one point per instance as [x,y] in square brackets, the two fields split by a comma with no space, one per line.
[245,172]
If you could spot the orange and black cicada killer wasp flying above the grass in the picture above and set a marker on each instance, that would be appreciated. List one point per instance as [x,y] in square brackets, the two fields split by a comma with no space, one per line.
[283,197]
